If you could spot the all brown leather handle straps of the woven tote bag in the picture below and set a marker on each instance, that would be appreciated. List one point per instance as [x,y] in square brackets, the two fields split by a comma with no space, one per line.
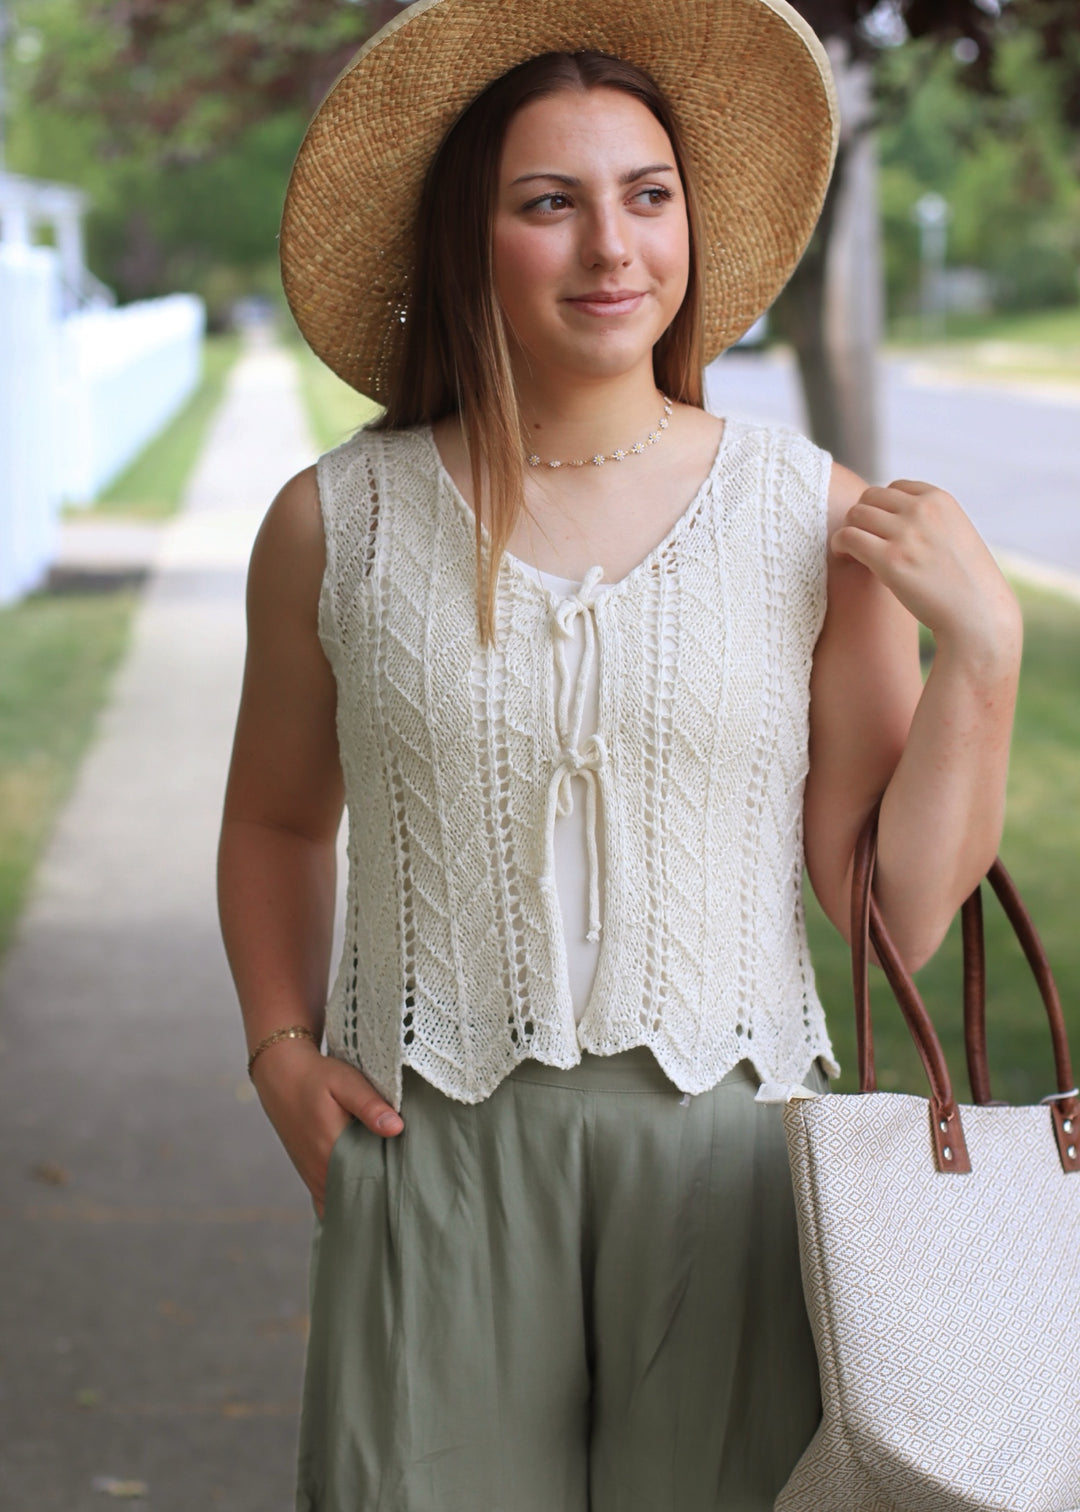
[867,926]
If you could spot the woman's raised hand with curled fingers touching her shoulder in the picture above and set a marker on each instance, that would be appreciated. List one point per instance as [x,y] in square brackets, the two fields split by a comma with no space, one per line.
[920,544]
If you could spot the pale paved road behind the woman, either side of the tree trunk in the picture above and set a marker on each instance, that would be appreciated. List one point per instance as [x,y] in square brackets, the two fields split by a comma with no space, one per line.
[1011,457]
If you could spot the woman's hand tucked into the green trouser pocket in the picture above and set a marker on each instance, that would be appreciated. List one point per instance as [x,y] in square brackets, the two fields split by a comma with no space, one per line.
[311,1098]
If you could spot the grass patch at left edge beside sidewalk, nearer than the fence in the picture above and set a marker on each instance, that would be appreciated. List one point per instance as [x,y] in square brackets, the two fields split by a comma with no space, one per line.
[57,657]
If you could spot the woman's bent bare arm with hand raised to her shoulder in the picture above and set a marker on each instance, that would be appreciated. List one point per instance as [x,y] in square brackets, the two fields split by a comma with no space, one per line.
[940,752]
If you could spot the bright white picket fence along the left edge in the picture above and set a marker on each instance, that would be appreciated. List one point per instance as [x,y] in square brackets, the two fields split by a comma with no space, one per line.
[79,398]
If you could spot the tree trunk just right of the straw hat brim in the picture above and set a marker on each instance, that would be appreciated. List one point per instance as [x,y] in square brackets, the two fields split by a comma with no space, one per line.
[833,309]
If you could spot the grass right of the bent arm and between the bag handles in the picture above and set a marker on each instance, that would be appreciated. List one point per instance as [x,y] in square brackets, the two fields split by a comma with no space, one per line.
[1041,849]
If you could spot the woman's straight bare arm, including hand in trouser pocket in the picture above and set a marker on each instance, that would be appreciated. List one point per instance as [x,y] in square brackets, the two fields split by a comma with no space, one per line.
[278,857]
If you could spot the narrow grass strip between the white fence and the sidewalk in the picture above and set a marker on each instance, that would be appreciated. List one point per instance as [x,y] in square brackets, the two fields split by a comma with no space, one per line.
[152,488]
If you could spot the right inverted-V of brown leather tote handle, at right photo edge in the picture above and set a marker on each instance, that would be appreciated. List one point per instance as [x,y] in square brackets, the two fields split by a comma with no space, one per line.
[1066,1103]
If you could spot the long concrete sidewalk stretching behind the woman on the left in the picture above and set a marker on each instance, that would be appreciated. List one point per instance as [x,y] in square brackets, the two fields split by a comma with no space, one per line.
[154,1236]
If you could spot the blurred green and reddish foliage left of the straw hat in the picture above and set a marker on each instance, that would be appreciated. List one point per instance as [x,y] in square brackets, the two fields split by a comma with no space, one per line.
[181,120]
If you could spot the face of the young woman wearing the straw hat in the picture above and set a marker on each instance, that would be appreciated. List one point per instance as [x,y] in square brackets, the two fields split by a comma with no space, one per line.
[591,240]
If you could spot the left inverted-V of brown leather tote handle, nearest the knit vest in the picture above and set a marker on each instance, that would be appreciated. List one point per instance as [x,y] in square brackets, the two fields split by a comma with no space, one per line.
[867,926]
